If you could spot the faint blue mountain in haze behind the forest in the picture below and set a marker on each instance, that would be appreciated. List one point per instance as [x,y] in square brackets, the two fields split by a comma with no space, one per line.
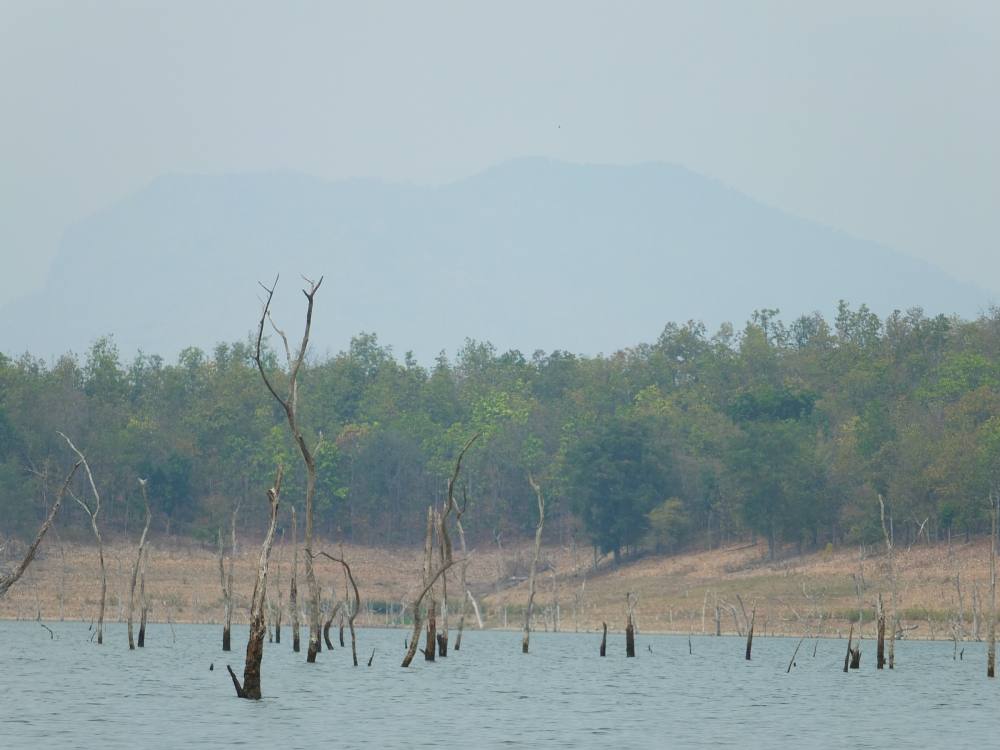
[532,254]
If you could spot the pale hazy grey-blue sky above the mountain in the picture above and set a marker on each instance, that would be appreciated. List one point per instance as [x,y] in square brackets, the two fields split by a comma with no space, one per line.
[877,118]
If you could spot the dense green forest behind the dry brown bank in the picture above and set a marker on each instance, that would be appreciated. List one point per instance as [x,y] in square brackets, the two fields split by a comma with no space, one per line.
[786,431]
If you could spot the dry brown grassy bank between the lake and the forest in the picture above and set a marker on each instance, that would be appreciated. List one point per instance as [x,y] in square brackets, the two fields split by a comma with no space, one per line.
[814,593]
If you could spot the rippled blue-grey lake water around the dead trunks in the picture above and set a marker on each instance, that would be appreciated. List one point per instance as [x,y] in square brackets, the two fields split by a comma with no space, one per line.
[70,693]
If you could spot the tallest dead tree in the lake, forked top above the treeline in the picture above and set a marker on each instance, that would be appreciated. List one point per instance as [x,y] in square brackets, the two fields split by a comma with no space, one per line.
[289,403]
